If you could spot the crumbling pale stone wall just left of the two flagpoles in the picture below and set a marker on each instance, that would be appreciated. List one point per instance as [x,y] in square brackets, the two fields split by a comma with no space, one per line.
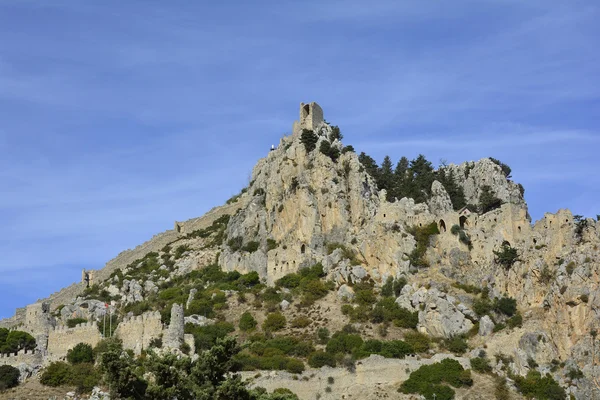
[62,339]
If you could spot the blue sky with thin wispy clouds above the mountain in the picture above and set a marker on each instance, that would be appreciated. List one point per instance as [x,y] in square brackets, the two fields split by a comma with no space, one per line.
[118,118]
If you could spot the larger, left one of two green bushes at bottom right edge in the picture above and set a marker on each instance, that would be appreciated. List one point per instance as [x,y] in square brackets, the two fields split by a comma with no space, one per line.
[429,379]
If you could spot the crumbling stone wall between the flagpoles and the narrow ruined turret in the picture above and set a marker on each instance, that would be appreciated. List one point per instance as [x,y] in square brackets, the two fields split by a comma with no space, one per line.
[137,332]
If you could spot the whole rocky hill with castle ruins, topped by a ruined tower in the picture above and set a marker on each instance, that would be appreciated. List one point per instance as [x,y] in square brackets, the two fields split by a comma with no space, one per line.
[460,254]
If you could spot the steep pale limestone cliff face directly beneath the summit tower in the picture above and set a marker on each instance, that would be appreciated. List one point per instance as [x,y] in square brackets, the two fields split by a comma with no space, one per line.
[299,202]
